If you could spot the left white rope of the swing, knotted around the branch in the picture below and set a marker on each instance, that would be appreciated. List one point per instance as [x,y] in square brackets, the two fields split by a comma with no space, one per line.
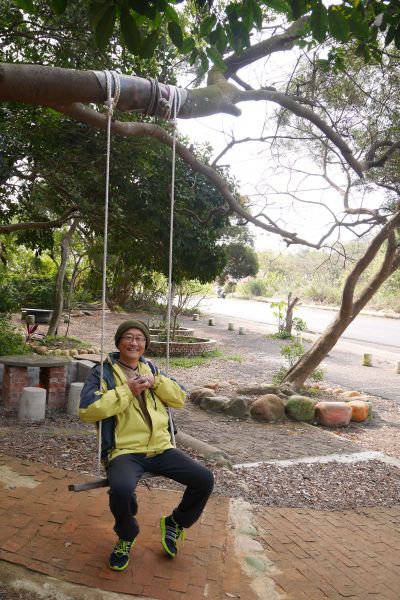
[111,102]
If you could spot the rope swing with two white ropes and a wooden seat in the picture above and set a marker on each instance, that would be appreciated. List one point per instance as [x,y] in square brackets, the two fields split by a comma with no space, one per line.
[168,109]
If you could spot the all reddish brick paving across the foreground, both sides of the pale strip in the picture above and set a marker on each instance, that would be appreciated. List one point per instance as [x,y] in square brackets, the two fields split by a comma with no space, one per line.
[309,554]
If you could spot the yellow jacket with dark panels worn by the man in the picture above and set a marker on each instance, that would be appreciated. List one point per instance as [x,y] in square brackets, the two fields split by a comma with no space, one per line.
[124,427]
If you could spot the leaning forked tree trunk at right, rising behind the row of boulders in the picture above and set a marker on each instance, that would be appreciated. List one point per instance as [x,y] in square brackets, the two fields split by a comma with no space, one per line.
[349,308]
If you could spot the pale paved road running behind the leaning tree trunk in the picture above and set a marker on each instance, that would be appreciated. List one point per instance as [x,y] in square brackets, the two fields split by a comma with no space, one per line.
[343,366]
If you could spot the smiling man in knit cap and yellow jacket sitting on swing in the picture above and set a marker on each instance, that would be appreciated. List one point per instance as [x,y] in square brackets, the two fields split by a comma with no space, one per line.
[131,403]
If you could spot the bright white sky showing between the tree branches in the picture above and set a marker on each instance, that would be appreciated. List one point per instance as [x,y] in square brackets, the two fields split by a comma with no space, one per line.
[250,163]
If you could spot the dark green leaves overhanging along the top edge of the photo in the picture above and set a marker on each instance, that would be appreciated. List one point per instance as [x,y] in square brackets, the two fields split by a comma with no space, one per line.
[204,30]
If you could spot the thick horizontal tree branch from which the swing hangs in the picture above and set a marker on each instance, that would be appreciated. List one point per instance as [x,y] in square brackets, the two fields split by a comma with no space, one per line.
[48,86]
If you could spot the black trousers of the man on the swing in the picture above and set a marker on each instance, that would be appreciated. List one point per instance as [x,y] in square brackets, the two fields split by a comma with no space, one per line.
[124,472]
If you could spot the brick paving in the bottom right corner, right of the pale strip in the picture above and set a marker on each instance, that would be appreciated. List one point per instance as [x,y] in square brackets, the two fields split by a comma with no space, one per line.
[321,555]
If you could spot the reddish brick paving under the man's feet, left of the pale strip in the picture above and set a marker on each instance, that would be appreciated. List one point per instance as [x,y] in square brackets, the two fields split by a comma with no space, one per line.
[69,536]
